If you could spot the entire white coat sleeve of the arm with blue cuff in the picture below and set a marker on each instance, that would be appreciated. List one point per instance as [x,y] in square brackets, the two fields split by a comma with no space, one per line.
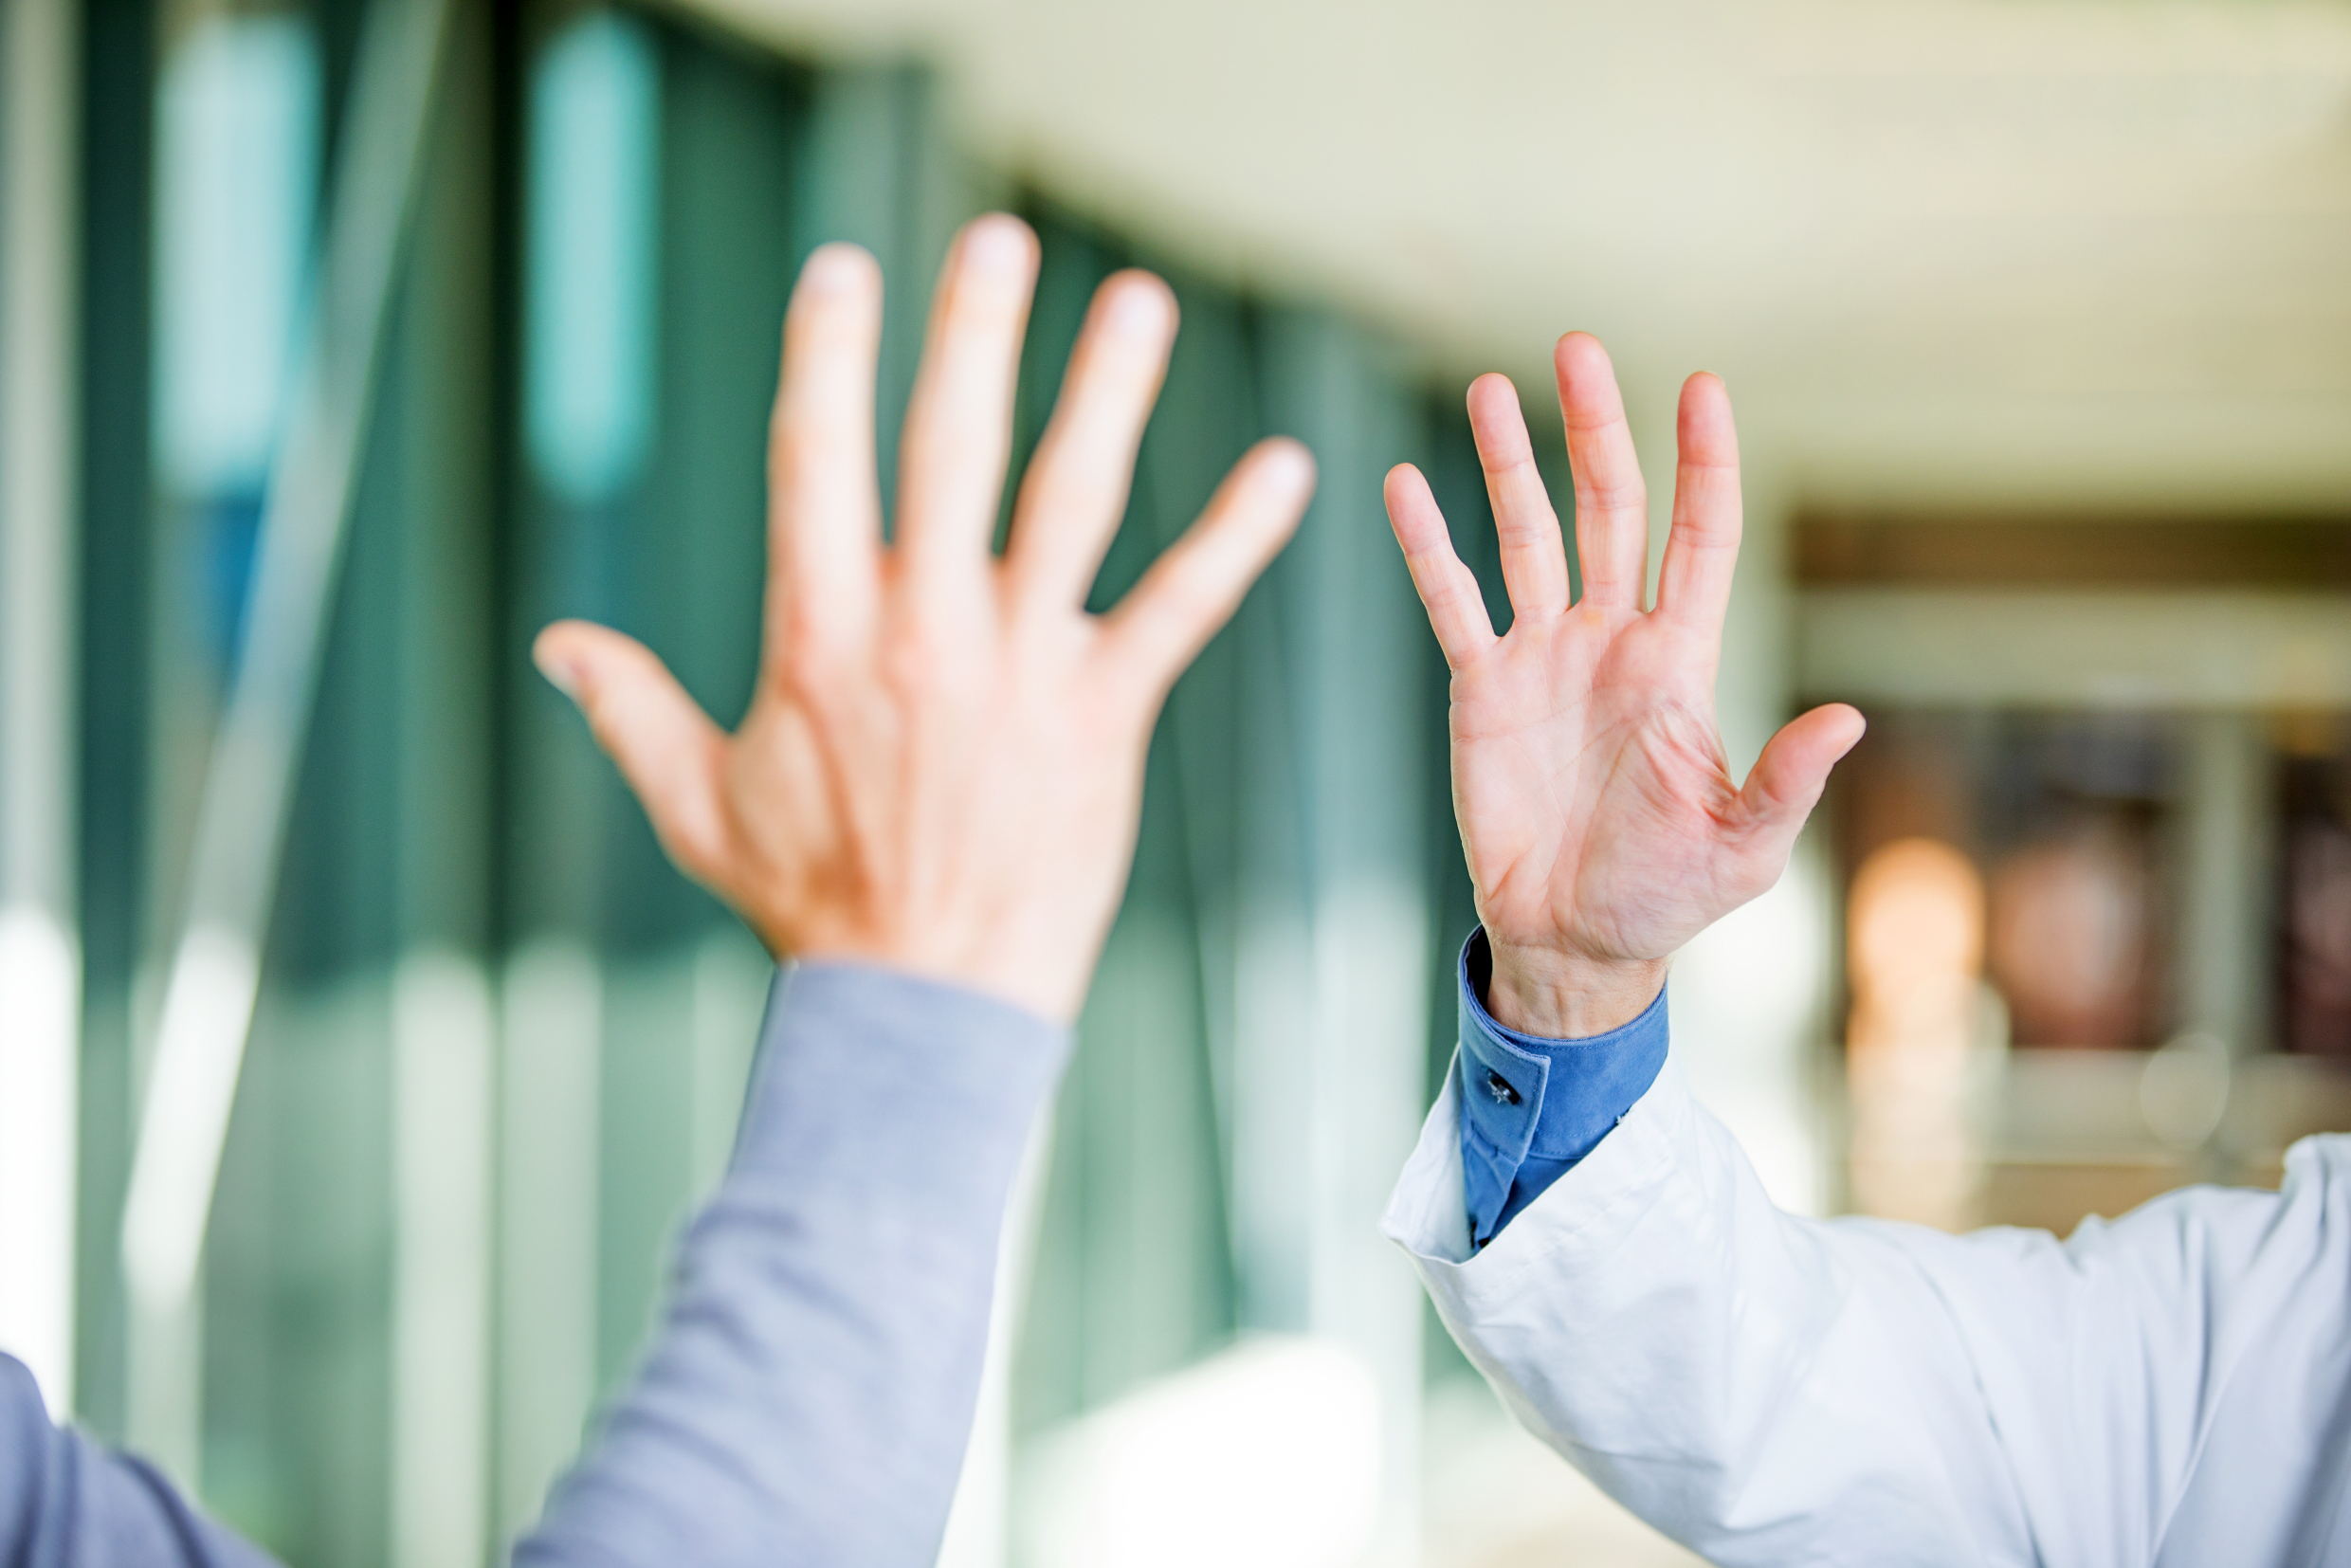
[1776,1391]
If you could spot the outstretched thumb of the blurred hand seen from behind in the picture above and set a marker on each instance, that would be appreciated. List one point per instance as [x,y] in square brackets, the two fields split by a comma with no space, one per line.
[664,744]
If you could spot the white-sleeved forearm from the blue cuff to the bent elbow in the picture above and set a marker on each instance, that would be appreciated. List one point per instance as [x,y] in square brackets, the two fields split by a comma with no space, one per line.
[1757,1386]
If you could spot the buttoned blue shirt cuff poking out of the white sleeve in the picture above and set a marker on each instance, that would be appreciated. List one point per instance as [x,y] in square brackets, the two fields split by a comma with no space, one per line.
[1532,1106]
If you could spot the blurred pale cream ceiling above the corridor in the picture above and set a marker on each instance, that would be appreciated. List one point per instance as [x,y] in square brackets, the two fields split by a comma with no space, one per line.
[1950,253]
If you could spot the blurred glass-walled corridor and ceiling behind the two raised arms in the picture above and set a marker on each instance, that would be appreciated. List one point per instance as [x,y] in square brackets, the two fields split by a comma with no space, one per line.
[349,342]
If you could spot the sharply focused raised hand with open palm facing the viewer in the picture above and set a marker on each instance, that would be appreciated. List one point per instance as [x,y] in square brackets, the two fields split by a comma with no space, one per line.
[1595,803]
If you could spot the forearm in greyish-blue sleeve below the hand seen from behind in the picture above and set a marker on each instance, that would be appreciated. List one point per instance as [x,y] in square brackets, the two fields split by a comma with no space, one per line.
[812,1388]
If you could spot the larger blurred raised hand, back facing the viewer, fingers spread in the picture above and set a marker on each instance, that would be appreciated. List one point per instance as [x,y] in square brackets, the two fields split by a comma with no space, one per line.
[942,768]
